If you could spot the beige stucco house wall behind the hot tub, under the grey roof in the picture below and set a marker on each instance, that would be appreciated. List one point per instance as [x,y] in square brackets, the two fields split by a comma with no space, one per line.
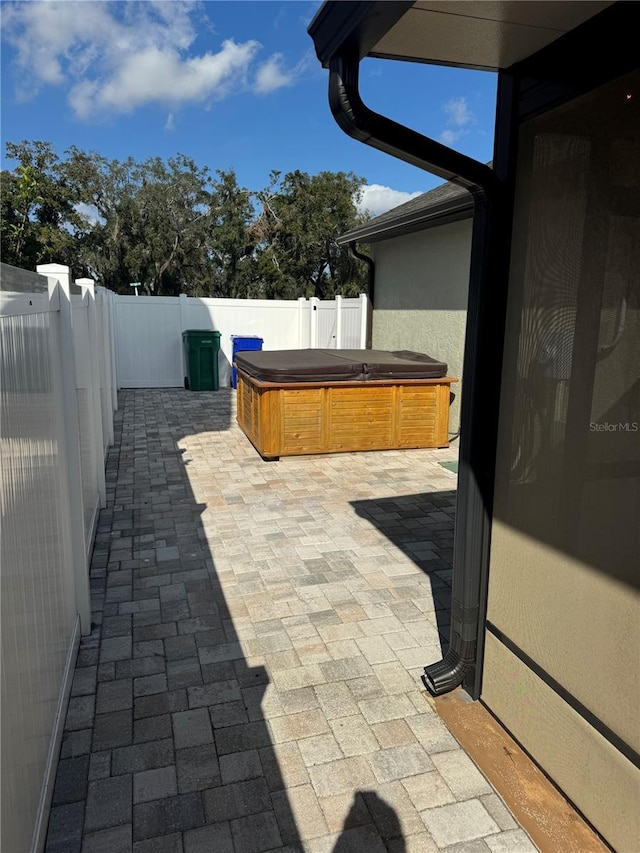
[420,301]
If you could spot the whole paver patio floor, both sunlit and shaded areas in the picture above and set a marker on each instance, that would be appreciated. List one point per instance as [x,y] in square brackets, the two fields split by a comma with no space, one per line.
[252,679]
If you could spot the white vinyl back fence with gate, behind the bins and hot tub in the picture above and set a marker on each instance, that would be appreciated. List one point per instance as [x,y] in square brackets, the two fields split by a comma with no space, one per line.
[149,331]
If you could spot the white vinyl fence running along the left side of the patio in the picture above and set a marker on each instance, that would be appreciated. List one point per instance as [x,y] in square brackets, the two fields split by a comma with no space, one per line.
[57,399]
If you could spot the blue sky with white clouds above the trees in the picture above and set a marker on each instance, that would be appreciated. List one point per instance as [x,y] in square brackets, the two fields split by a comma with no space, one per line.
[230,84]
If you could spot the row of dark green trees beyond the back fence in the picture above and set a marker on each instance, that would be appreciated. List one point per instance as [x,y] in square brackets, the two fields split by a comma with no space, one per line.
[176,227]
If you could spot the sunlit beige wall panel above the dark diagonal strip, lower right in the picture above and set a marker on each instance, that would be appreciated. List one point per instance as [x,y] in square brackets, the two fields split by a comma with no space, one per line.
[580,624]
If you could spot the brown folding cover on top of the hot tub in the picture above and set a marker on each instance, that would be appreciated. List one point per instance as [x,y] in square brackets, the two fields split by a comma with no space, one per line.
[317,365]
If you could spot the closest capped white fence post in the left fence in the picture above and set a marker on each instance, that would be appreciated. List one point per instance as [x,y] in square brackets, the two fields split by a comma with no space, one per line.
[59,279]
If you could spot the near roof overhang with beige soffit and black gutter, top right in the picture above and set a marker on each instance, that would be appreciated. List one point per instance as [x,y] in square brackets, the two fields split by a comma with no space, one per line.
[482,34]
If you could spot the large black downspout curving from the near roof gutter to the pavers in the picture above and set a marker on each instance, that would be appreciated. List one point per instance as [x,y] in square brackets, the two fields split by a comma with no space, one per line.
[482,359]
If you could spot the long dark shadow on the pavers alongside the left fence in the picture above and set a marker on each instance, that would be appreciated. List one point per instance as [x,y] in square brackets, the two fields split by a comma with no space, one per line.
[165,744]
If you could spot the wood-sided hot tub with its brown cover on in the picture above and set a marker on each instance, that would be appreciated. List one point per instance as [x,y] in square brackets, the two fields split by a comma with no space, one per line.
[296,402]
